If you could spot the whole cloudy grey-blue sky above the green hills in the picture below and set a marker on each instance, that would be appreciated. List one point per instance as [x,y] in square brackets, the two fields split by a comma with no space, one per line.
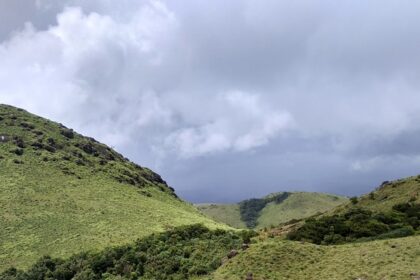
[227,100]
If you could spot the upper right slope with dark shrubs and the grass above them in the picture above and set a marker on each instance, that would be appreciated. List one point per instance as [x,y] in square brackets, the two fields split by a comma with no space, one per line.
[392,210]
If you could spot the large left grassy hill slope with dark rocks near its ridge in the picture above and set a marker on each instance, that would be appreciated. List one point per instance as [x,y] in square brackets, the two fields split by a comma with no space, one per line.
[61,193]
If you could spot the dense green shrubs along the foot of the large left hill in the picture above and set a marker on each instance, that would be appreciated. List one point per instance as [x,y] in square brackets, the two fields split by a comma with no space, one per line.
[177,254]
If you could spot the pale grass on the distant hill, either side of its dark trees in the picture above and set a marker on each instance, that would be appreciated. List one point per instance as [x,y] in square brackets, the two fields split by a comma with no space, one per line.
[297,205]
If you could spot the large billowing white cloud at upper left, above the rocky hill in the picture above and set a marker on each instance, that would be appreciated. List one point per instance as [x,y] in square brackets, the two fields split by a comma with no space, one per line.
[90,70]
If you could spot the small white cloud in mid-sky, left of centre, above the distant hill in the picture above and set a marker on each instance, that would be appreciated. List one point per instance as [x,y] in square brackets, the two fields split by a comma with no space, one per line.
[246,123]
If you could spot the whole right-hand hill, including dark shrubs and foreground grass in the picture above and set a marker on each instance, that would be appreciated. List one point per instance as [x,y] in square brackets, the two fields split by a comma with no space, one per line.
[368,233]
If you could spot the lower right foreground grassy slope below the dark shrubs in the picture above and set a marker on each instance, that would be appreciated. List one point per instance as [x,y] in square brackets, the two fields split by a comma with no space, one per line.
[280,259]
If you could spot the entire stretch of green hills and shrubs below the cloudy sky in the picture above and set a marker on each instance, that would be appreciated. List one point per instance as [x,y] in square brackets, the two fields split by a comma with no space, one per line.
[99,216]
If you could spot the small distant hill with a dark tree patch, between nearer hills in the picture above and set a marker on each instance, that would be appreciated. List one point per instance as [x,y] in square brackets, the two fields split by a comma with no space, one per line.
[273,209]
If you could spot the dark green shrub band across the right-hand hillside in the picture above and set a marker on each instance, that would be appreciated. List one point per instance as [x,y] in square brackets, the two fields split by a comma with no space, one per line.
[360,224]
